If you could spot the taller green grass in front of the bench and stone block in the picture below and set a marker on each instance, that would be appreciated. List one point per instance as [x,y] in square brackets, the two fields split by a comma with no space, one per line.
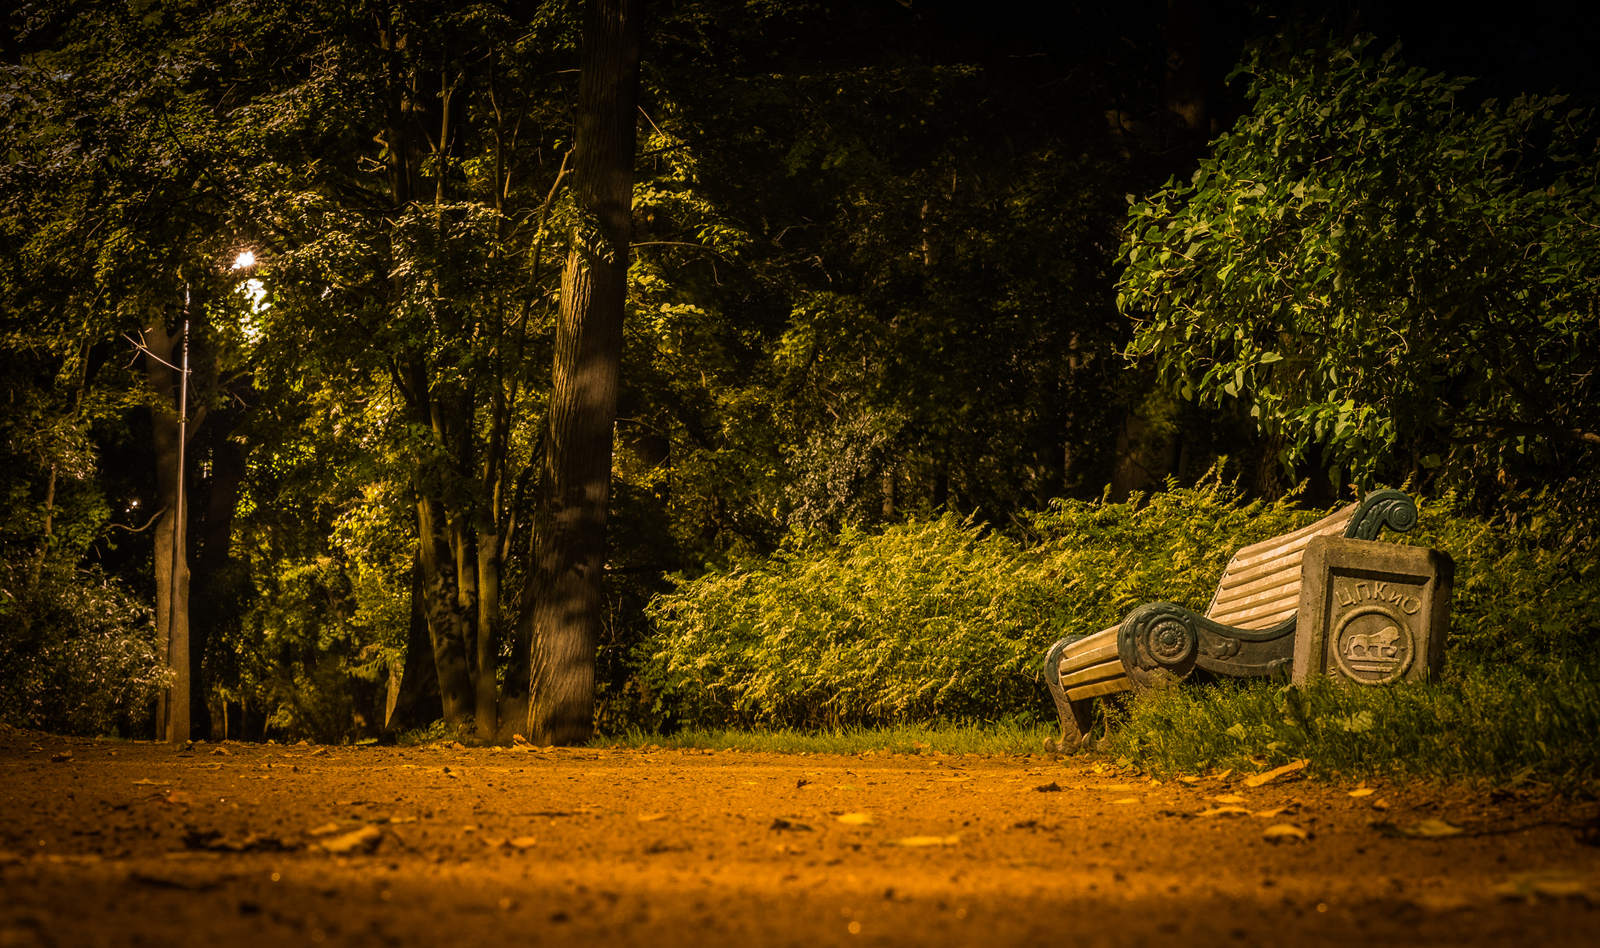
[1495,725]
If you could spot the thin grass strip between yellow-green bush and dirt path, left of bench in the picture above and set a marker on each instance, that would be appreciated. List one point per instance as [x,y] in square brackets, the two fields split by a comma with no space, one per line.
[990,739]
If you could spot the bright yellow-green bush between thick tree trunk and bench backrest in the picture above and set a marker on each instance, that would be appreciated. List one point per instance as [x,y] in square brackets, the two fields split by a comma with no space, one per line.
[932,619]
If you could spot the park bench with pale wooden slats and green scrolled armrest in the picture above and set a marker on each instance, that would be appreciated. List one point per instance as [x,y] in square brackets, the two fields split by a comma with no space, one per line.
[1247,632]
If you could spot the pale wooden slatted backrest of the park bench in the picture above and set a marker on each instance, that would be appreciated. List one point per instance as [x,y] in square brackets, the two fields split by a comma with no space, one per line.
[1262,584]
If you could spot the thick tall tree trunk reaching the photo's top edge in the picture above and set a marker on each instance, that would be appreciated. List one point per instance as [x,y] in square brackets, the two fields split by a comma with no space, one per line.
[570,536]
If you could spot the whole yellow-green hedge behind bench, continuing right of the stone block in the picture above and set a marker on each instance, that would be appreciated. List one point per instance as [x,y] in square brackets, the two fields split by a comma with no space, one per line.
[935,621]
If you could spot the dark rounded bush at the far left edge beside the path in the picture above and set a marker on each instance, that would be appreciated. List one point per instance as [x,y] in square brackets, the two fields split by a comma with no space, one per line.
[78,654]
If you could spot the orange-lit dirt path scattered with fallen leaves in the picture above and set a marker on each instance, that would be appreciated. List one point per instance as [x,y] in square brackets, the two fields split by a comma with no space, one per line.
[145,845]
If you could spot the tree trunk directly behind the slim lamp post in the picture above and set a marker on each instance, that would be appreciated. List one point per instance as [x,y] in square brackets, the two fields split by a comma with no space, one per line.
[172,558]
